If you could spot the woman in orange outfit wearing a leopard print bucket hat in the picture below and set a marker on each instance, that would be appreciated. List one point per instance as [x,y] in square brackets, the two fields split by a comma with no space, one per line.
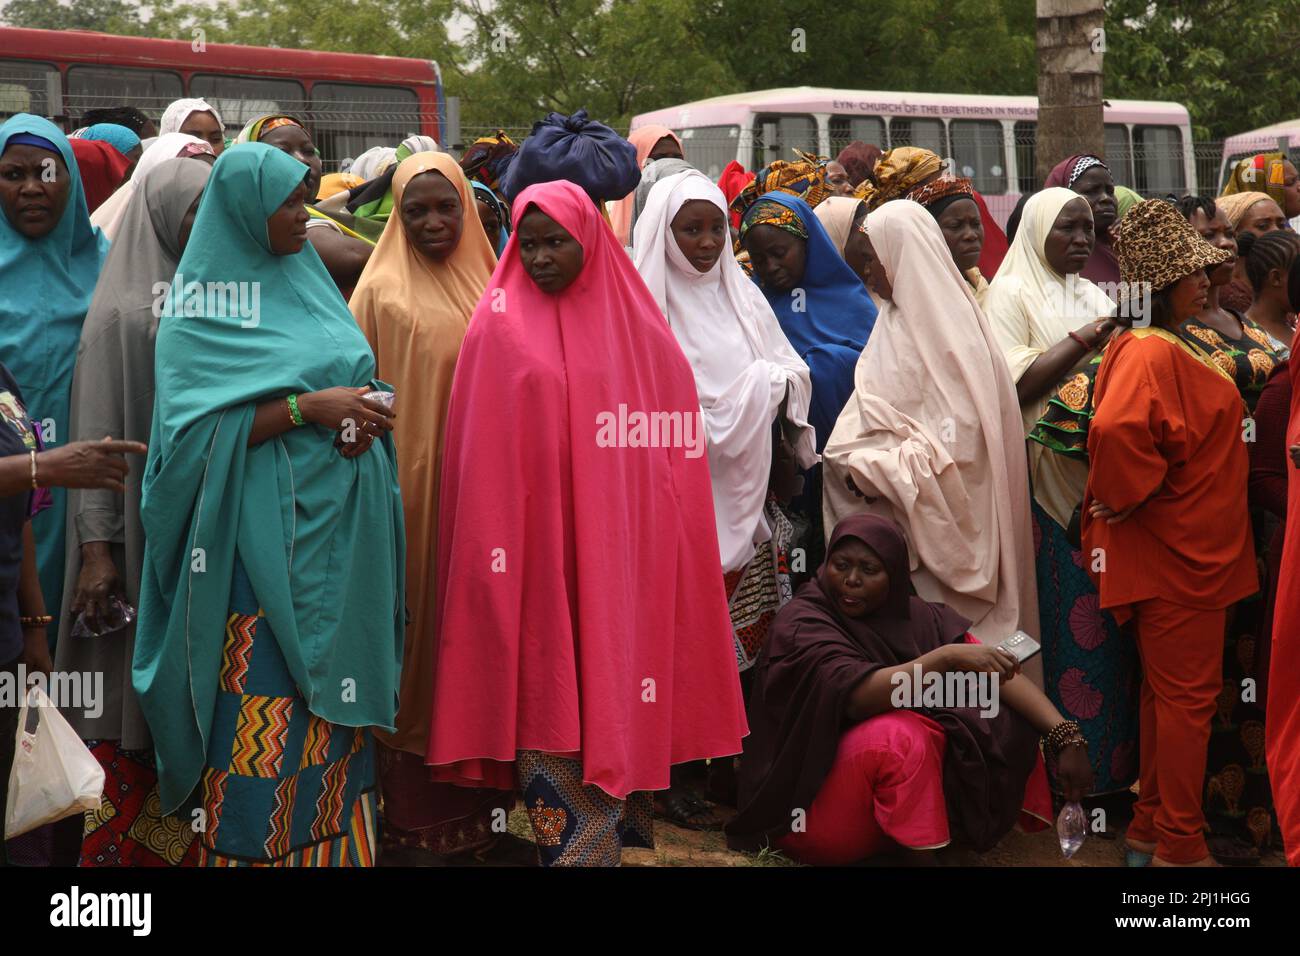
[1165,525]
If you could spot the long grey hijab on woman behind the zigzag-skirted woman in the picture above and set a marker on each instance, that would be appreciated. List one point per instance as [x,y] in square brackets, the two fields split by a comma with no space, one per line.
[114,395]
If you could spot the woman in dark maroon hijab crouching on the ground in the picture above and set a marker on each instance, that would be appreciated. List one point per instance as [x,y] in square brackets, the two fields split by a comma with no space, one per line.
[835,772]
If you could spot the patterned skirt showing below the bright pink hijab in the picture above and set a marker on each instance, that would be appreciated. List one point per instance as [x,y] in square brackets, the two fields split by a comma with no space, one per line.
[577,824]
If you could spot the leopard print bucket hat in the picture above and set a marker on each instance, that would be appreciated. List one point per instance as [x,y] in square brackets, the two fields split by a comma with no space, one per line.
[1156,246]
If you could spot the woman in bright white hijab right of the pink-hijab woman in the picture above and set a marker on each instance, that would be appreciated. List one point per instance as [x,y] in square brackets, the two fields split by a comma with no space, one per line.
[755,393]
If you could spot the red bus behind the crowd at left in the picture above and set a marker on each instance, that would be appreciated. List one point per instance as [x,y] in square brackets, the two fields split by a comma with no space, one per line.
[349,101]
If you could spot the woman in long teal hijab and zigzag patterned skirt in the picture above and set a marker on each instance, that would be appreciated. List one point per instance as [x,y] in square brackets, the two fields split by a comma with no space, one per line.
[270,637]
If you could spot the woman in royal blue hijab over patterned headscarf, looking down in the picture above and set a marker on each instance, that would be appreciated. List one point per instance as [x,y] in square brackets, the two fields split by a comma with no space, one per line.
[824,309]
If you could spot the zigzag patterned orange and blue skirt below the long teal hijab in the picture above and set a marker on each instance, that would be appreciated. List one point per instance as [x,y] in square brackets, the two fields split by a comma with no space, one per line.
[281,788]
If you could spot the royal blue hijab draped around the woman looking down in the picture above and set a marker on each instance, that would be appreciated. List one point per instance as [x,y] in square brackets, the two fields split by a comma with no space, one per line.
[827,318]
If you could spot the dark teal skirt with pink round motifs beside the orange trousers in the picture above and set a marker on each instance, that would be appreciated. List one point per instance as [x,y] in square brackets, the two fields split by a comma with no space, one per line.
[1090,668]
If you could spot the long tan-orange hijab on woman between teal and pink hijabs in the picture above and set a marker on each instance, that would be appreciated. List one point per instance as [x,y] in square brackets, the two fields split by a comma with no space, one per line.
[414,312]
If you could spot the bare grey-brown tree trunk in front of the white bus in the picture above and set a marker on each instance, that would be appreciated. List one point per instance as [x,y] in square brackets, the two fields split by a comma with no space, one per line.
[1072,42]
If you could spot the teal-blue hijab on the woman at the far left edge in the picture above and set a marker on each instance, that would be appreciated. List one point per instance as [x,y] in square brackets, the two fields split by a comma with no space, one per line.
[46,287]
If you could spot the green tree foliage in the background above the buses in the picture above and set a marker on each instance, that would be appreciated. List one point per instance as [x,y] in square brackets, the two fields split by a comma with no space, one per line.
[513,60]
